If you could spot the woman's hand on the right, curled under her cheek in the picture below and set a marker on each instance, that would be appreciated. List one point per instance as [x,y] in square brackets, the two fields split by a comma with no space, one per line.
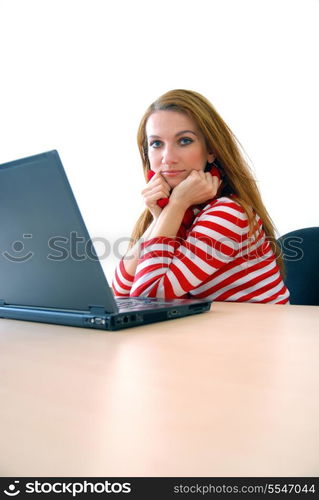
[197,188]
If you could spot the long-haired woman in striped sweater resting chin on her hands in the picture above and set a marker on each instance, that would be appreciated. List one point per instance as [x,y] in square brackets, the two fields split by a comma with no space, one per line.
[211,235]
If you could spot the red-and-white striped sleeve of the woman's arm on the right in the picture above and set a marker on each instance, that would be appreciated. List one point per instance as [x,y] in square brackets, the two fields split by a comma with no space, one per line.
[172,267]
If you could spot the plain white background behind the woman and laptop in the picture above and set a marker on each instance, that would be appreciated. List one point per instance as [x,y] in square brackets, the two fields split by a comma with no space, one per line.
[77,75]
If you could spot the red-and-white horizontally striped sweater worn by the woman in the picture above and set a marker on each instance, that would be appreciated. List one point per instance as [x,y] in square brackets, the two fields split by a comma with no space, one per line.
[217,260]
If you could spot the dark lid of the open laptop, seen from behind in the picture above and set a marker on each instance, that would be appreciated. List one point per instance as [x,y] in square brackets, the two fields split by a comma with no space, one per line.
[46,258]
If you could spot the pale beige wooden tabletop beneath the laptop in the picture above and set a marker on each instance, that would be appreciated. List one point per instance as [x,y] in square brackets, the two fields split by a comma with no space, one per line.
[231,392]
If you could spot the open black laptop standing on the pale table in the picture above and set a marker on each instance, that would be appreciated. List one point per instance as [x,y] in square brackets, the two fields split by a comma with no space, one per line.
[49,269]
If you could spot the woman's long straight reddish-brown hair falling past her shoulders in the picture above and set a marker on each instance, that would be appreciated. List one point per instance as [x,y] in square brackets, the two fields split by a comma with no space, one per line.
[237,176]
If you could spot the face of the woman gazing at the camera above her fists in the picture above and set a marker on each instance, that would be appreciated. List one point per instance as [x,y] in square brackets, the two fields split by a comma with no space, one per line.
[175,146]
